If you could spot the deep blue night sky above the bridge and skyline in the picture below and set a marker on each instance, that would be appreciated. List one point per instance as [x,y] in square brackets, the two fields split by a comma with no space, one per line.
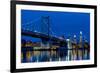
[61,23]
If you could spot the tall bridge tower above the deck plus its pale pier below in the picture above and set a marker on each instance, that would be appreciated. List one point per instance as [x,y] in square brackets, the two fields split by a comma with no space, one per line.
[45,29]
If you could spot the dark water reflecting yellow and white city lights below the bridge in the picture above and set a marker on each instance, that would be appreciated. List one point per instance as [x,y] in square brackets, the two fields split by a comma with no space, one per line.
[48,55]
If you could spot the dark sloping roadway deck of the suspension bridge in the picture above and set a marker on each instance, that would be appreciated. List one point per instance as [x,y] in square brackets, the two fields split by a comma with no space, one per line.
[42,36]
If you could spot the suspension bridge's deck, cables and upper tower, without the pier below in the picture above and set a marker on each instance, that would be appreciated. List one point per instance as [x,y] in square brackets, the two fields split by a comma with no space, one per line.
[40,28]
